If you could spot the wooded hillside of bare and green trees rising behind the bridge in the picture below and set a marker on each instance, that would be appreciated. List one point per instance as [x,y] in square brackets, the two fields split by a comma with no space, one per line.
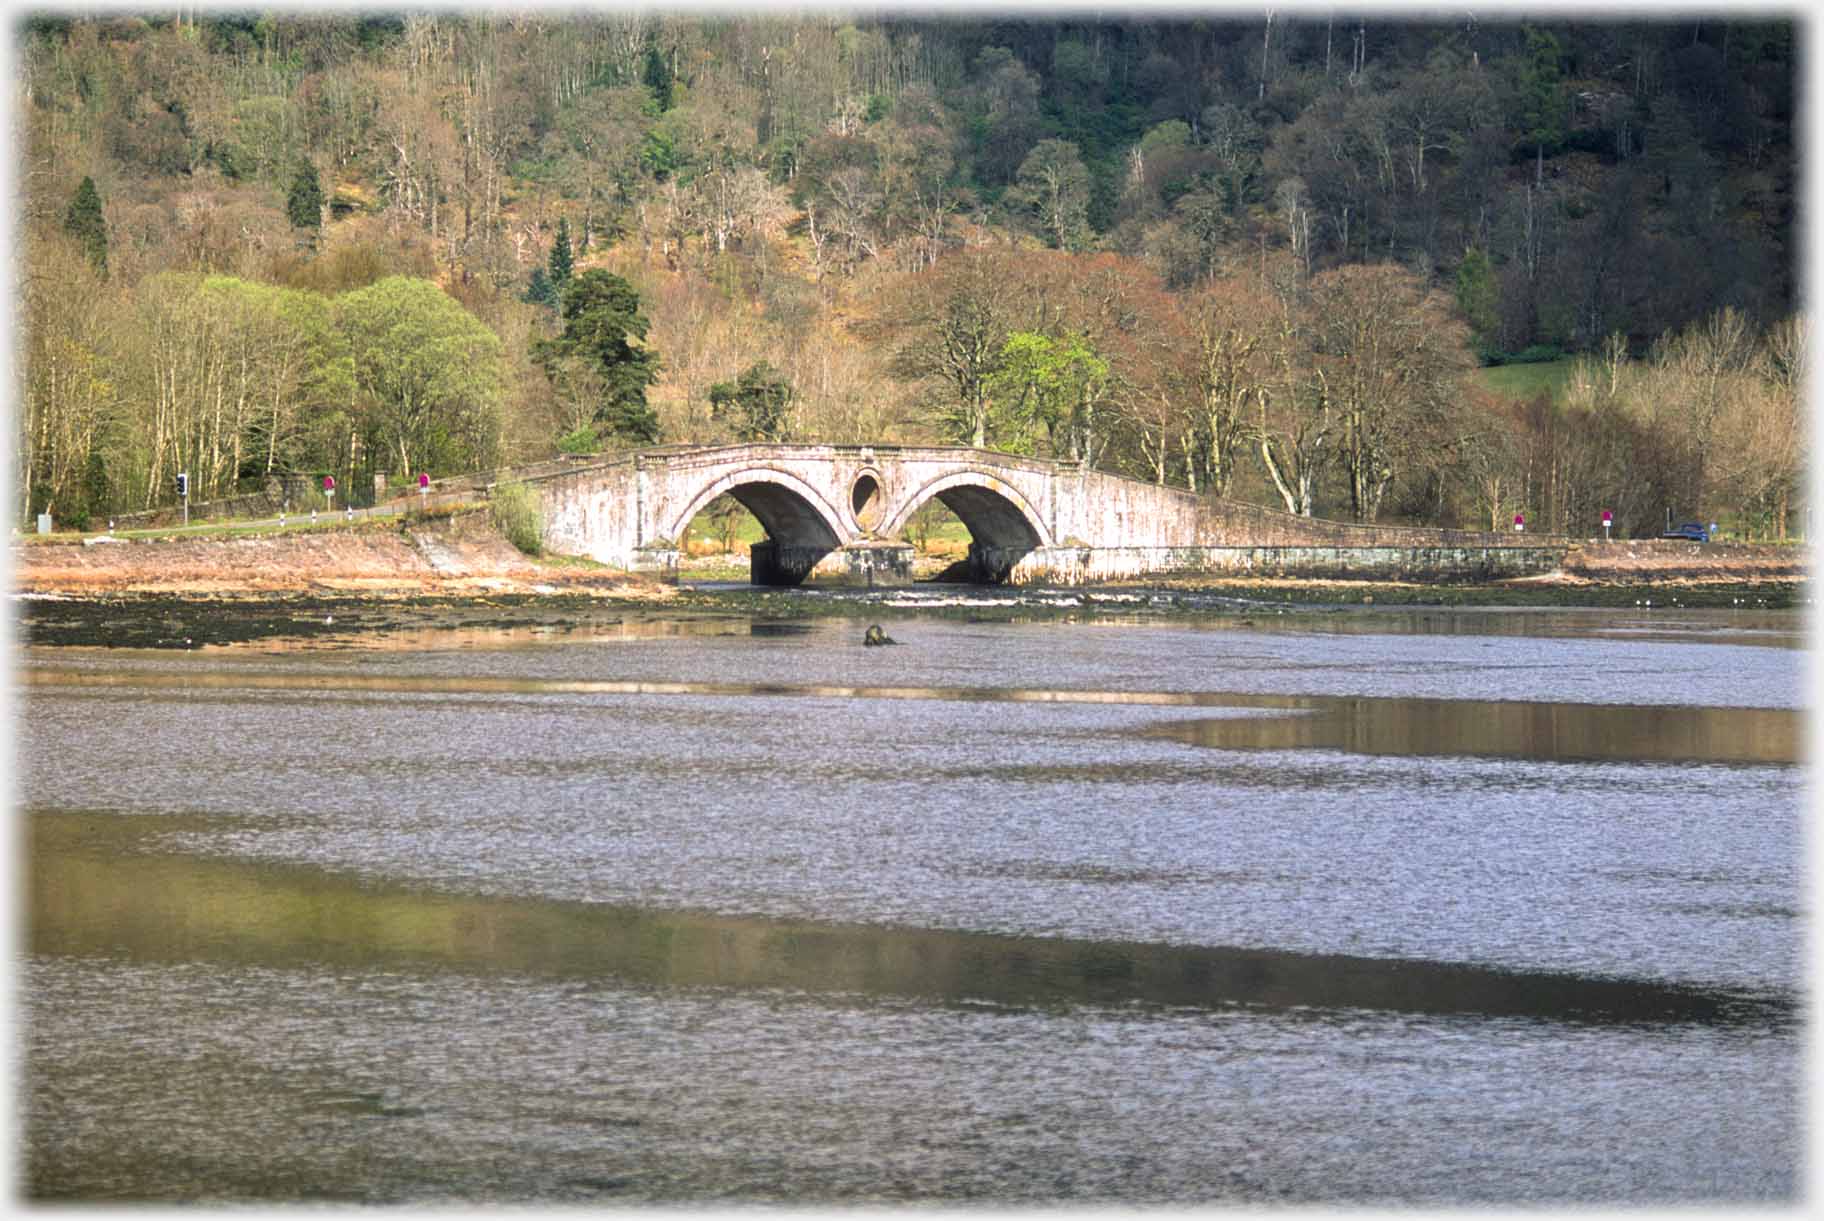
[1256,255]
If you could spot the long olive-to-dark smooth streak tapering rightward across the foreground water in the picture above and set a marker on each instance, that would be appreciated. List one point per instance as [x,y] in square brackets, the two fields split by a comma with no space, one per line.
[96,892]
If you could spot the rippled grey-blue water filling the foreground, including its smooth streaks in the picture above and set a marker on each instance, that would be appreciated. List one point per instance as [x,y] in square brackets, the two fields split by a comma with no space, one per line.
[1467,908]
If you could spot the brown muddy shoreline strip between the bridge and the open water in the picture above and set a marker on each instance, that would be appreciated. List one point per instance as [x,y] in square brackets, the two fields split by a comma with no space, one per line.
[459,574]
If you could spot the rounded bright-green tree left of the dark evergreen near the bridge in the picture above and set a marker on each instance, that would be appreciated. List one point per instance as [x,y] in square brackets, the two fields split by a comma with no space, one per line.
[428,371]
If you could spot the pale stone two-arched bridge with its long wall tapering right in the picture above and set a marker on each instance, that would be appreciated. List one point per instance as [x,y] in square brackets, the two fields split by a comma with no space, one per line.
[842,512]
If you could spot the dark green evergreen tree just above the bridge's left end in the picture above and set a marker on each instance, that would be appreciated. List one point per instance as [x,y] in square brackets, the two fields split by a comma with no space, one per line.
[605,333]
